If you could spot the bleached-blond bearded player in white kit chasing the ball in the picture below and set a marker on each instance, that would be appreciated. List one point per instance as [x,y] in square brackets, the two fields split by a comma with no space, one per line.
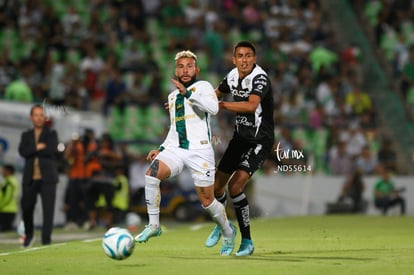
[188,143]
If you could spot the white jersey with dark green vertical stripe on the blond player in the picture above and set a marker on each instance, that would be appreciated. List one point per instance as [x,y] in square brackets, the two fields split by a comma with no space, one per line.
[190,116]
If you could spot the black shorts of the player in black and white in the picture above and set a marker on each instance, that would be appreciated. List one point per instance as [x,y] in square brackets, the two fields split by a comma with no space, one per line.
[244,155]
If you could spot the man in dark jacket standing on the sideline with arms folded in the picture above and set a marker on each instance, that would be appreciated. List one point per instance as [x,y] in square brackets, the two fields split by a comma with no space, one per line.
[38,146]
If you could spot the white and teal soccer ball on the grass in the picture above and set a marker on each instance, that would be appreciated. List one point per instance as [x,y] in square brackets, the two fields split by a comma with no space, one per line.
[118,243]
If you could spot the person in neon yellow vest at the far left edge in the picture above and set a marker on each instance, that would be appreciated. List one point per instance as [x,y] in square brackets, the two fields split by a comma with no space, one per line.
[9,196]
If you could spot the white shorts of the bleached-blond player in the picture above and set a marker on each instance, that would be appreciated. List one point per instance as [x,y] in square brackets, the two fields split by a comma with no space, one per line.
[200,163]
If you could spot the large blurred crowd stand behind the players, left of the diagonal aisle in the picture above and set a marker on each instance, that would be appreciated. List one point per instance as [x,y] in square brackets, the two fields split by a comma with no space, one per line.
[111,57]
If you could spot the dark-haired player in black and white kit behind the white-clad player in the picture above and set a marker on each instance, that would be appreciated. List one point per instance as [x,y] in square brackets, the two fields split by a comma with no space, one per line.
[252,140]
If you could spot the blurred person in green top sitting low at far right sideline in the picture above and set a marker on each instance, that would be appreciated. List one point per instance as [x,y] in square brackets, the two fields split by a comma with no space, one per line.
[387,195]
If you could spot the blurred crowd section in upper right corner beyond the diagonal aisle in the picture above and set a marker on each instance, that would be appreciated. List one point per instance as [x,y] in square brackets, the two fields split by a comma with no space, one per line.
[393,29]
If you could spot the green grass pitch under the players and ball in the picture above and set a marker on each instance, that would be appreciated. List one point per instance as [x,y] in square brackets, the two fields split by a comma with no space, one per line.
[294,245]
